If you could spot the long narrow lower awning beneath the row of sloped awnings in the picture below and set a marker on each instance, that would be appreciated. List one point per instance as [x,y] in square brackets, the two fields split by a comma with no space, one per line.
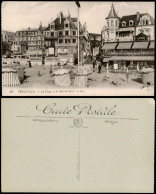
[132,58]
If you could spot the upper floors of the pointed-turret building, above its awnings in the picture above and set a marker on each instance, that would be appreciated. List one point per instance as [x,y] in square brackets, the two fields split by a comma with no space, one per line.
[127,27]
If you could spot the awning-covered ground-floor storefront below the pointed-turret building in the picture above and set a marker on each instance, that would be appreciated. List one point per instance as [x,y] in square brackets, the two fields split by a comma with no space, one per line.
[130,54]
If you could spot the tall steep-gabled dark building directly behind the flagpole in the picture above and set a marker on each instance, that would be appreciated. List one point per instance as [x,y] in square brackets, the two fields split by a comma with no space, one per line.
[61,35]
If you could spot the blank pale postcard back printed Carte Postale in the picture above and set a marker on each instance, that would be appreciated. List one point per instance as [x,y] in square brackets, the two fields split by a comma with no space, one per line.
[78,145]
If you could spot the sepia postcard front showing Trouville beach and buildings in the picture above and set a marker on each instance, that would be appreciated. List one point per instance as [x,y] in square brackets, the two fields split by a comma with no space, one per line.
[72,48]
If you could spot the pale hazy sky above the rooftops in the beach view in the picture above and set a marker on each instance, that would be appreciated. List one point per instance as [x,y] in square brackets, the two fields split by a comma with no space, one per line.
[18,15]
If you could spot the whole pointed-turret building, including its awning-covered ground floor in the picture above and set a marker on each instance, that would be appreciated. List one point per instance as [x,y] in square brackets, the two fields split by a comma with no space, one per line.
[129,40]
